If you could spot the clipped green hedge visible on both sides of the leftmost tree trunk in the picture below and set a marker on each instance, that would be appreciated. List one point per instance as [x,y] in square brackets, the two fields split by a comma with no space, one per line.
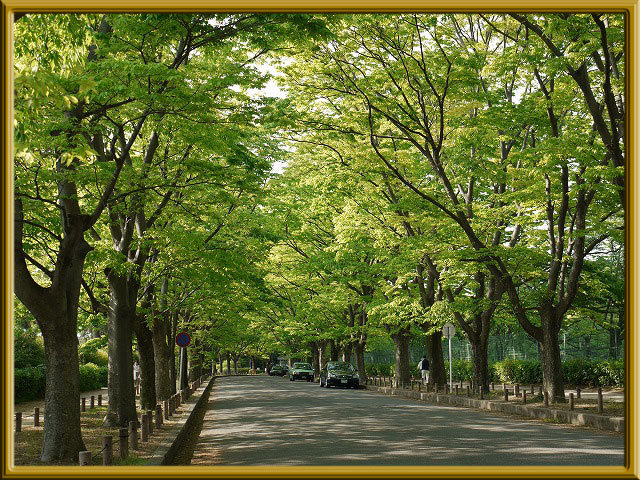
[30,382]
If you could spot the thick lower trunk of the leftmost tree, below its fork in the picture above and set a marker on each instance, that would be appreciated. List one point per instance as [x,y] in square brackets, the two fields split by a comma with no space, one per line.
[62,438]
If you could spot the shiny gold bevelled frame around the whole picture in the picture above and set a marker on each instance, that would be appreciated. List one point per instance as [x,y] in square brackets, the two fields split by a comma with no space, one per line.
[632,286]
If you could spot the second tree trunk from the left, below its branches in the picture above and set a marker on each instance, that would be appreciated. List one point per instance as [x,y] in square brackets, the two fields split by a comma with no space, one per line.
[122,406]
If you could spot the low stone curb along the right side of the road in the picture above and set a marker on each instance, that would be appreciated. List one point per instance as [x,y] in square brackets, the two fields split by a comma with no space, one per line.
[615,424]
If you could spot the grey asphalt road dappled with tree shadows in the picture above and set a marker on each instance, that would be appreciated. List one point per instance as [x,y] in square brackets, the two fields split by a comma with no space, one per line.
[259,420]
